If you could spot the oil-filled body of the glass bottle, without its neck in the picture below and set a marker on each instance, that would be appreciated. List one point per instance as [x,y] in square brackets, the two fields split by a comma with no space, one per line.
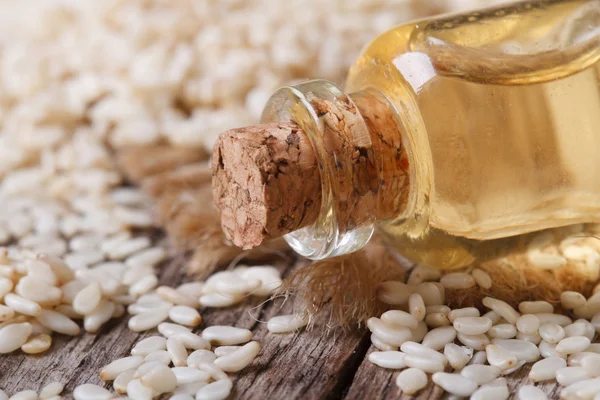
[500,114]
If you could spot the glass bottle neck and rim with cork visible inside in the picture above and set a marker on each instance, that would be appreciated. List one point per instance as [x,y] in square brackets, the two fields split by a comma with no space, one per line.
[362,159]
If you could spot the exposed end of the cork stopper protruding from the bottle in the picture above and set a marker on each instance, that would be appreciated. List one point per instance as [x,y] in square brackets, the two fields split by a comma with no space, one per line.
[266,182]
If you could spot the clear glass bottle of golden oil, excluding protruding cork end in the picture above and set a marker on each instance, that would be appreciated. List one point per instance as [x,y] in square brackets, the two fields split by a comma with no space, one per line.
[477,129]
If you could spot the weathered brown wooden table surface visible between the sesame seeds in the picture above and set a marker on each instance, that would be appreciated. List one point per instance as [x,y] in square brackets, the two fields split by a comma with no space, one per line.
[306,365]
